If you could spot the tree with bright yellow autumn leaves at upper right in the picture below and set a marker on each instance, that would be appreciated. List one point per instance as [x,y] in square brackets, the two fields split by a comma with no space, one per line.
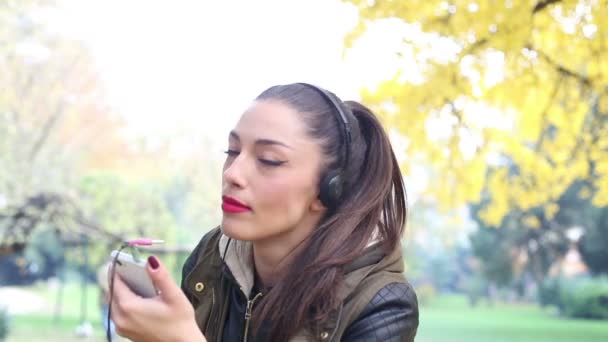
[487,84]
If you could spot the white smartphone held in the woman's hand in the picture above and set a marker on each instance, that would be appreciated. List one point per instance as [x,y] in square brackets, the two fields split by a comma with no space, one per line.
[134,274]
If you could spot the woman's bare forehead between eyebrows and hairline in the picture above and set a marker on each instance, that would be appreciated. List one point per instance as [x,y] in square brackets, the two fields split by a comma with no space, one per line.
[272,119]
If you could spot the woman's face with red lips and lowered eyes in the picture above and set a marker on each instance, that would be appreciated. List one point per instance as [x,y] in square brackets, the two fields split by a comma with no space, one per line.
[271,175]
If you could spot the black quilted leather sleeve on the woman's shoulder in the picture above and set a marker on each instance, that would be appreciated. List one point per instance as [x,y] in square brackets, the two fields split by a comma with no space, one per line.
[391,315]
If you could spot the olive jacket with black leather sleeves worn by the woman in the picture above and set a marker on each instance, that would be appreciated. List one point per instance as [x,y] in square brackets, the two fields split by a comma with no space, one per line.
[391,313]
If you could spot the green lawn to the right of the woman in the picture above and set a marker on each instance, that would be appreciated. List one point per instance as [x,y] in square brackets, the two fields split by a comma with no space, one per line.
[450,318]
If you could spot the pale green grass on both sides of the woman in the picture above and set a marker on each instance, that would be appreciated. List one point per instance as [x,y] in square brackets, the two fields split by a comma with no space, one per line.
[444,319]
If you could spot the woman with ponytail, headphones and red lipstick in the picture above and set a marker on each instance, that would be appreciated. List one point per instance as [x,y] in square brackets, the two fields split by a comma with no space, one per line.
[308,248]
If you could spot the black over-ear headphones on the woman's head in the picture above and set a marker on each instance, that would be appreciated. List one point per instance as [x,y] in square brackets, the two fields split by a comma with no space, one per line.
[332,183]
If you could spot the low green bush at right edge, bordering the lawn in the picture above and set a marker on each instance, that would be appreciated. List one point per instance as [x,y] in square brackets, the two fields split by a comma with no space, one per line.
[585,297]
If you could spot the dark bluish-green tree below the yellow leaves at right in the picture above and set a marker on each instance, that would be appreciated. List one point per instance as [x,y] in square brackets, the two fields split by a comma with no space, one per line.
[527,244]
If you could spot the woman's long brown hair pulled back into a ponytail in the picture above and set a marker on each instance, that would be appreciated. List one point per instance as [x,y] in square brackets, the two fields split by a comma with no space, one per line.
[374,205]
